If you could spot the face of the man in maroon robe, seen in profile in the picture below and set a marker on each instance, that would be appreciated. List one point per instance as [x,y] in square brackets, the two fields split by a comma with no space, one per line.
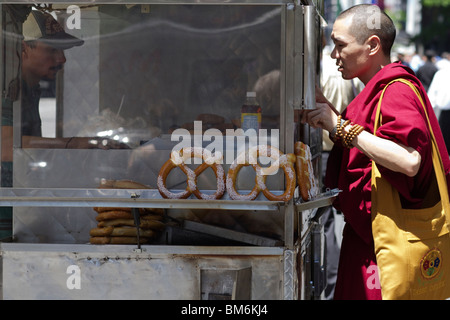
[352,58]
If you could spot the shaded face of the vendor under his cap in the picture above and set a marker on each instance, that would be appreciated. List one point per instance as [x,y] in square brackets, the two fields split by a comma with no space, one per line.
[42,61]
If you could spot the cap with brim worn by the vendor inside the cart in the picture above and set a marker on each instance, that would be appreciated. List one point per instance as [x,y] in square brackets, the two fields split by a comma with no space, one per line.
[43,27]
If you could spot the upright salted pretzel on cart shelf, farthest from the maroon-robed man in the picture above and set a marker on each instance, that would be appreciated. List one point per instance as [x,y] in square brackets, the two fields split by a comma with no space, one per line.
[178,159]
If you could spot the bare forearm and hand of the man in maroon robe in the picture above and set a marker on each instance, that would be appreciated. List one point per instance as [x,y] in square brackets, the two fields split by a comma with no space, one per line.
[386,153]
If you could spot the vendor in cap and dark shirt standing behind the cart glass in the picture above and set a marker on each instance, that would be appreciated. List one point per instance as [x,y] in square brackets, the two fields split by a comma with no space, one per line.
[42,56]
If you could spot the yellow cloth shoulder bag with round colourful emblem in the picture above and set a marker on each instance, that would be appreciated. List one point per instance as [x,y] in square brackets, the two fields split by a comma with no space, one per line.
[412,246]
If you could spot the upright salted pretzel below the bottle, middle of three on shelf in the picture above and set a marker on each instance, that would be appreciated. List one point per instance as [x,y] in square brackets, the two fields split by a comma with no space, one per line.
[284,161]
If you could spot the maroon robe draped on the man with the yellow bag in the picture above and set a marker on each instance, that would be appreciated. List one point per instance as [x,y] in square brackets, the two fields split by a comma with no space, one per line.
[404,122]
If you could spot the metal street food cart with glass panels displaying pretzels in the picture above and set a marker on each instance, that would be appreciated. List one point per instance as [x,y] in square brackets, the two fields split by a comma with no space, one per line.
[152,76]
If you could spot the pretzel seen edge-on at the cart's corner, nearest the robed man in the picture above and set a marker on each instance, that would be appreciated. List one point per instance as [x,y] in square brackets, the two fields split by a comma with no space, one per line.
[306,180]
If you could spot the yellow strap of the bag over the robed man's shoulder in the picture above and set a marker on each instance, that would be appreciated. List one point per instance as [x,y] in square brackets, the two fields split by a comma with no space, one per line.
[437,160]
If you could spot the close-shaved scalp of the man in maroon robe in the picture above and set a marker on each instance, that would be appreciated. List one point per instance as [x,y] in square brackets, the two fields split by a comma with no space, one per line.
[367,20]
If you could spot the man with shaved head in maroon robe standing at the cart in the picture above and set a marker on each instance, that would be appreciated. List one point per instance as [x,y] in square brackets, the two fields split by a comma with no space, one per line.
[363,36]
